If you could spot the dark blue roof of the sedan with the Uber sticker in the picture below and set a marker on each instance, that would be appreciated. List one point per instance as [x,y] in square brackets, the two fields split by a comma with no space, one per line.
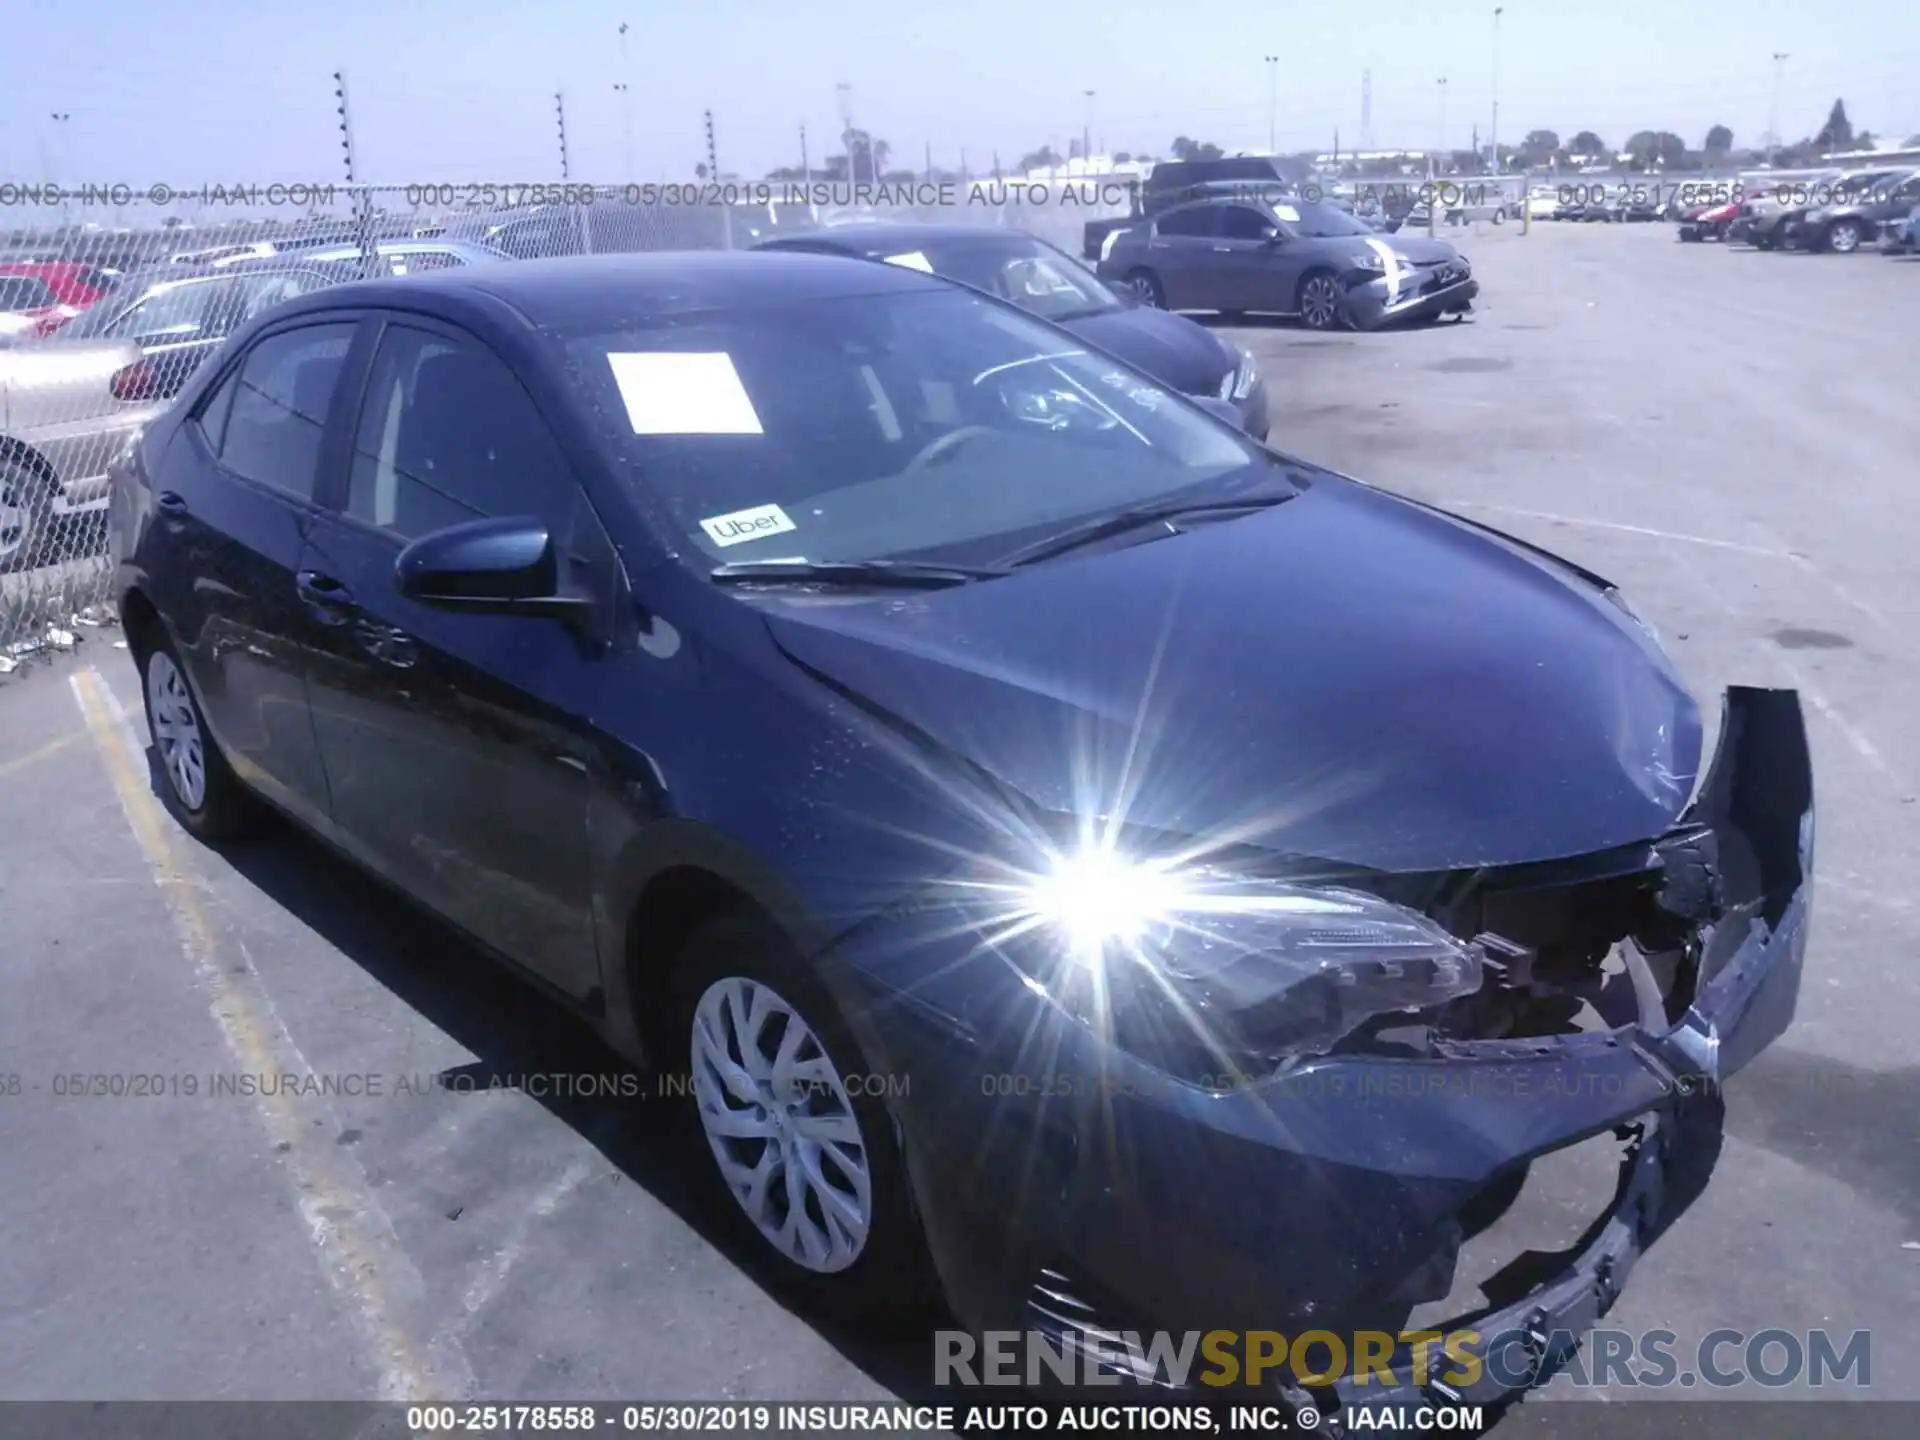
[575,291]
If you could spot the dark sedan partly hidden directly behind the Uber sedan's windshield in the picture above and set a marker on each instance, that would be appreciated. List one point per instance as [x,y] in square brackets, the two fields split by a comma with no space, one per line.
[1047,283]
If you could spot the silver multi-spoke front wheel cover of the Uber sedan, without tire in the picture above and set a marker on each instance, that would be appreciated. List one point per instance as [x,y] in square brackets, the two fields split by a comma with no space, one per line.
[780,1124]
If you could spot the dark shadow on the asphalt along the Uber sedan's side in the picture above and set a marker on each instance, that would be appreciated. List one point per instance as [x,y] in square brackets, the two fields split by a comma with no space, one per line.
[516,1030]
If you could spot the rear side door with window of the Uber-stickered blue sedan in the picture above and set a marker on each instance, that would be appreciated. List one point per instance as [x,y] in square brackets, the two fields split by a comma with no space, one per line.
[235,496]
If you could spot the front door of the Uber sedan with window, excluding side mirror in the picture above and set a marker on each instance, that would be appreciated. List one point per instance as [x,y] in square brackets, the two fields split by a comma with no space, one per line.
[456,744]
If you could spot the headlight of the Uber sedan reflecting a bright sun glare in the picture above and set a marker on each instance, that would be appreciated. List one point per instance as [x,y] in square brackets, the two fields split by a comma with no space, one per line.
[1218,978]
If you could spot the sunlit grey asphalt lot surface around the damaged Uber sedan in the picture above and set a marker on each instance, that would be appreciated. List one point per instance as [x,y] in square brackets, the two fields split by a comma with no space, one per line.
[1729,435]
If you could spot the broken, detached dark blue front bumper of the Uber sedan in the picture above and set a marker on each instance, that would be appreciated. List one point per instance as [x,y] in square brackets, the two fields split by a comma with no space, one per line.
[1099,1197]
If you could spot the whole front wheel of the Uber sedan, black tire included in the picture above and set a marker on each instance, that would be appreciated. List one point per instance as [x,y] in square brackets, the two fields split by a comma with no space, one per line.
[725,976]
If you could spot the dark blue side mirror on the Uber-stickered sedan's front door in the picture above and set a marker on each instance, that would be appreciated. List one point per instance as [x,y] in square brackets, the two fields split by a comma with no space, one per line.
[489,567]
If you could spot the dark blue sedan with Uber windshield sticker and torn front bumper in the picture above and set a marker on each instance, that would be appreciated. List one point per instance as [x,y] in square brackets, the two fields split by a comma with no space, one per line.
[1070,859]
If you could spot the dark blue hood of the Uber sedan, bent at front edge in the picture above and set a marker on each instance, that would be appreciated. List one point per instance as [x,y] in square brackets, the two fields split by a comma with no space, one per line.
[1345,677]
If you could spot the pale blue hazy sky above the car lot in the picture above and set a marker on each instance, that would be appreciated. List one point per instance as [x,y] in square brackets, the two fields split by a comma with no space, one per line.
[237,91]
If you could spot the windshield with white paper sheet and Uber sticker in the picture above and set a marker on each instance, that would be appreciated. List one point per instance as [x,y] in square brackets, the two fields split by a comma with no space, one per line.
[882,427]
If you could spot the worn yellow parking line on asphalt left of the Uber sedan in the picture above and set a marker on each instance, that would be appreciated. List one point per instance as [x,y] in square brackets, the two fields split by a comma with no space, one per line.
[356,1245]
